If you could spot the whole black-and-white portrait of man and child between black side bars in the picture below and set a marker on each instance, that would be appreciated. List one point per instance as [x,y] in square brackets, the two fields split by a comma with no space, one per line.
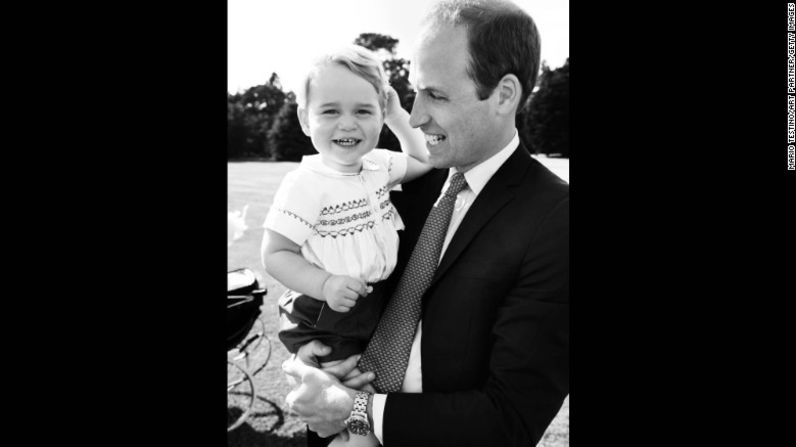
[398,223]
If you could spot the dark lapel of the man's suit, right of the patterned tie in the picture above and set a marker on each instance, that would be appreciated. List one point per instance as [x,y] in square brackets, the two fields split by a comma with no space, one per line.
[498,191]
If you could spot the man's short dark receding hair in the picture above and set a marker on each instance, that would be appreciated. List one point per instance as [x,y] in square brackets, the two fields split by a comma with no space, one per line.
[502,39]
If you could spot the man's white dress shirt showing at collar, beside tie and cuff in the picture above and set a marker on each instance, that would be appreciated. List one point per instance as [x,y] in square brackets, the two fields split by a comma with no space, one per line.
[477,177]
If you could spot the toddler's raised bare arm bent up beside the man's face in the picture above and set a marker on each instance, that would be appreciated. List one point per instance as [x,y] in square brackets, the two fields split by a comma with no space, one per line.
[412,141]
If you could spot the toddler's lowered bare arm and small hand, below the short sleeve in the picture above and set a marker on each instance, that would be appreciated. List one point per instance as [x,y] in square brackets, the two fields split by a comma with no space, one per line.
[282,260]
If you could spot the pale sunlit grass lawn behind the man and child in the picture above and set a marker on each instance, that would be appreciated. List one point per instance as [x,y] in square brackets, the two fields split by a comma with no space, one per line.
[254,183]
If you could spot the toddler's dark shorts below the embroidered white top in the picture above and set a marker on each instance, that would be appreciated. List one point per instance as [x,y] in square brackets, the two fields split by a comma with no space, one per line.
[303,318]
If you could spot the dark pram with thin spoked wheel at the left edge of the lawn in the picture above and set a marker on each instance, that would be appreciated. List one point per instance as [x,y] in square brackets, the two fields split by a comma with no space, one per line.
[244,299]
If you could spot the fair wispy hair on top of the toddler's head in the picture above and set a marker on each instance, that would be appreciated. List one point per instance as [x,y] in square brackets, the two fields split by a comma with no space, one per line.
[359,60]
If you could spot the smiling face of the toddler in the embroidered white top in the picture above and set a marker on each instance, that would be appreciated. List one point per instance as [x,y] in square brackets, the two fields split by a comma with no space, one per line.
[343,117]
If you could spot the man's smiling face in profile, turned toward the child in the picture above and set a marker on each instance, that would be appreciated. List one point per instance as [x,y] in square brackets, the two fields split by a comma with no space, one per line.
[460,129]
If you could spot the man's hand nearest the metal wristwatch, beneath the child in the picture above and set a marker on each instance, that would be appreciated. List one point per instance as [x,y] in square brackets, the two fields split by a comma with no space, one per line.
[320,400]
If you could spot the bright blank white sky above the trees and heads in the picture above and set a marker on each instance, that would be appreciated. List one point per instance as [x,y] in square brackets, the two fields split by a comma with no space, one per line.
[281,36]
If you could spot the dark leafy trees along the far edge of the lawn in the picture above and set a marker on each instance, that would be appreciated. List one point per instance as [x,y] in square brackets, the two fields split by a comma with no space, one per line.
[262,122]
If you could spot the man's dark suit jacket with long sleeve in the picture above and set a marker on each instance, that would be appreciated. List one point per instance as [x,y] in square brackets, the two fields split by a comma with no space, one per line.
[495,344]
